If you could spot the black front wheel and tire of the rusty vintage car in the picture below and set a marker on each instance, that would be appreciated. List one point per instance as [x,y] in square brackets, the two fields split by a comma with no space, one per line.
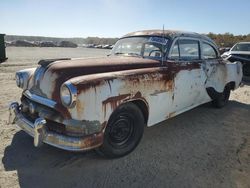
[123,132]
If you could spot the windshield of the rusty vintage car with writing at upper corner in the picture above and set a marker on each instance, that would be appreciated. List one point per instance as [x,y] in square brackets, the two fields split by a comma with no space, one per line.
[146,47]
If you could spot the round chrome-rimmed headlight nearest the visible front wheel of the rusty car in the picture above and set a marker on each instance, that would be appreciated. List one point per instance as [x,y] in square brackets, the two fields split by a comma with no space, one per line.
[68,95]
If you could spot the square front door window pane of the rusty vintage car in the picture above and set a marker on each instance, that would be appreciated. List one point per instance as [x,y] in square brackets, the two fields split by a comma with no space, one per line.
[189,49]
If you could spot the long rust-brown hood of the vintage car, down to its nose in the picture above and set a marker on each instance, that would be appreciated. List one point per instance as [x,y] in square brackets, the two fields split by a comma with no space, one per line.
[49,76]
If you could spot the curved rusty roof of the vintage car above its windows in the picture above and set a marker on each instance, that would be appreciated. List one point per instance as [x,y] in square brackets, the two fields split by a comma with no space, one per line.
[168,33]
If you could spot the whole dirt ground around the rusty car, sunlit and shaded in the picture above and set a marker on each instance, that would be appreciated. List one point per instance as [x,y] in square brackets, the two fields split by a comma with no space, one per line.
[204,147]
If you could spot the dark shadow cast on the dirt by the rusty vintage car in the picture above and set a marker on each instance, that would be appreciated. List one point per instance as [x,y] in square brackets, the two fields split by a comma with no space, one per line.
[196,149]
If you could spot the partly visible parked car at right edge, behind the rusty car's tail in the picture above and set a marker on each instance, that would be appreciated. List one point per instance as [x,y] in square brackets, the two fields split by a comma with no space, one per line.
[240,52]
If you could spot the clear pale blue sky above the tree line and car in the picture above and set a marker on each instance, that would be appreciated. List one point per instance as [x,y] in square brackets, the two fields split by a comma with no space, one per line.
[115,18]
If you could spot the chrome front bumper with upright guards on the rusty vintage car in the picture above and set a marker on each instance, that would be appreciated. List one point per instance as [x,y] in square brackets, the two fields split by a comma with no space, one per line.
[41,134]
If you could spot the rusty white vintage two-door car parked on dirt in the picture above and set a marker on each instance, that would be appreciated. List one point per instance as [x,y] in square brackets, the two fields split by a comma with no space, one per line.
[105,103]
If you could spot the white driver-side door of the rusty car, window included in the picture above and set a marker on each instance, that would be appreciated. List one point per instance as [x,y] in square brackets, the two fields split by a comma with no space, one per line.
[185,54]
